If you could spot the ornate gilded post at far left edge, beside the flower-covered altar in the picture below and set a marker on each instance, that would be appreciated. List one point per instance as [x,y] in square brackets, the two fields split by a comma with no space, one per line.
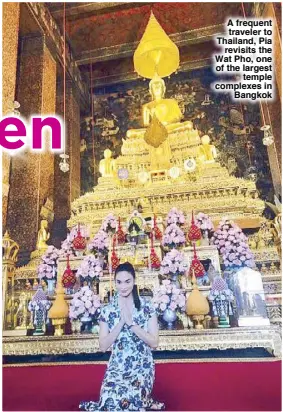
[10,257]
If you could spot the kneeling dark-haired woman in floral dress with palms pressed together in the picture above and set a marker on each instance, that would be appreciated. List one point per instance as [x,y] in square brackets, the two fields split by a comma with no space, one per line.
[129,323]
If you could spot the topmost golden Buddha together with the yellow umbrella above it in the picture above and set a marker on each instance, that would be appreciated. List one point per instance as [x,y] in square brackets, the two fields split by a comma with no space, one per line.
[156,57]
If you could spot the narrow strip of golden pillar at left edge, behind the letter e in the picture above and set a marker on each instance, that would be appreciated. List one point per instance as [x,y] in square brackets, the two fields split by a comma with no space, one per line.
[10,34]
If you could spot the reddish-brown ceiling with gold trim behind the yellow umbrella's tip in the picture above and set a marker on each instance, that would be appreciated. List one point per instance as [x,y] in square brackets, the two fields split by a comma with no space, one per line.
[105,35]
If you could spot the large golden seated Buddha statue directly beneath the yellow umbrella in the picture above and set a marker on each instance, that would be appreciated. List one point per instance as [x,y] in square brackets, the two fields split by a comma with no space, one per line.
[168,113]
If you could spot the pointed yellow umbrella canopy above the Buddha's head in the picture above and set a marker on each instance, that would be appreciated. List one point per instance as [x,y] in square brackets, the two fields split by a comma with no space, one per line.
[156,53]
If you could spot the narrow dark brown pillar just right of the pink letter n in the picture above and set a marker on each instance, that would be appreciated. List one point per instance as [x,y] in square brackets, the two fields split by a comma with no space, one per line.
[67,185]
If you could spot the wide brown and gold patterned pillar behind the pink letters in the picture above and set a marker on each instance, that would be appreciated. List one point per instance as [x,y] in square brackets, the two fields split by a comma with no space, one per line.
[32,175]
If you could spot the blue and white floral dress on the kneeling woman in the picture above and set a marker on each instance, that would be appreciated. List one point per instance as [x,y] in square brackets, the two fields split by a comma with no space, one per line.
[129,377]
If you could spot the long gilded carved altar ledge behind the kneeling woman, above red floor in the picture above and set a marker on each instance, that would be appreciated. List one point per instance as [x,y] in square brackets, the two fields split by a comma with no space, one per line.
[268,337]
